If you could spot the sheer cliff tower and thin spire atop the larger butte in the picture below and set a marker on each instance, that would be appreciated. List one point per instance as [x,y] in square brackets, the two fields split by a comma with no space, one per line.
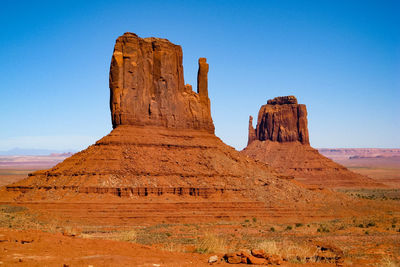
[147,86]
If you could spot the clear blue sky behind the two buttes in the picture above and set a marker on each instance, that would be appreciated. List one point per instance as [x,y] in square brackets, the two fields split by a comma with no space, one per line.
[340,58]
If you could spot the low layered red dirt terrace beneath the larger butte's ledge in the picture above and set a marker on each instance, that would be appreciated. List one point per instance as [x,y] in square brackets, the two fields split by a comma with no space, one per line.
[128,214]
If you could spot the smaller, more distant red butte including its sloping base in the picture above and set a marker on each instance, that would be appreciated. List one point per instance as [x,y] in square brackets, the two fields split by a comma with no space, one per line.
[281,140]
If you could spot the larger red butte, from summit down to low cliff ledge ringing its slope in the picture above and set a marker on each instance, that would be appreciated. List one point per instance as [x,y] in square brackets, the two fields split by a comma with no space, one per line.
[163,140]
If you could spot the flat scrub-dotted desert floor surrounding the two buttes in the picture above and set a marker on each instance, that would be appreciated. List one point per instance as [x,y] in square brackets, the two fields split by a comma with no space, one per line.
[37,235]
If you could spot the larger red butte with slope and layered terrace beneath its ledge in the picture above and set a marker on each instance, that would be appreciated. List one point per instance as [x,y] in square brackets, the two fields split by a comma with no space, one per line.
[163,149]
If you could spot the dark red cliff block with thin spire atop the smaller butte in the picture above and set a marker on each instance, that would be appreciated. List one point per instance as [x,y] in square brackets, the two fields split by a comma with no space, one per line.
[282,120]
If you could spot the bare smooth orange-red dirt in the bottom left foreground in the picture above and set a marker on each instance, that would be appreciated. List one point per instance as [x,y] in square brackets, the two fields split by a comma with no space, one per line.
[35,248]
